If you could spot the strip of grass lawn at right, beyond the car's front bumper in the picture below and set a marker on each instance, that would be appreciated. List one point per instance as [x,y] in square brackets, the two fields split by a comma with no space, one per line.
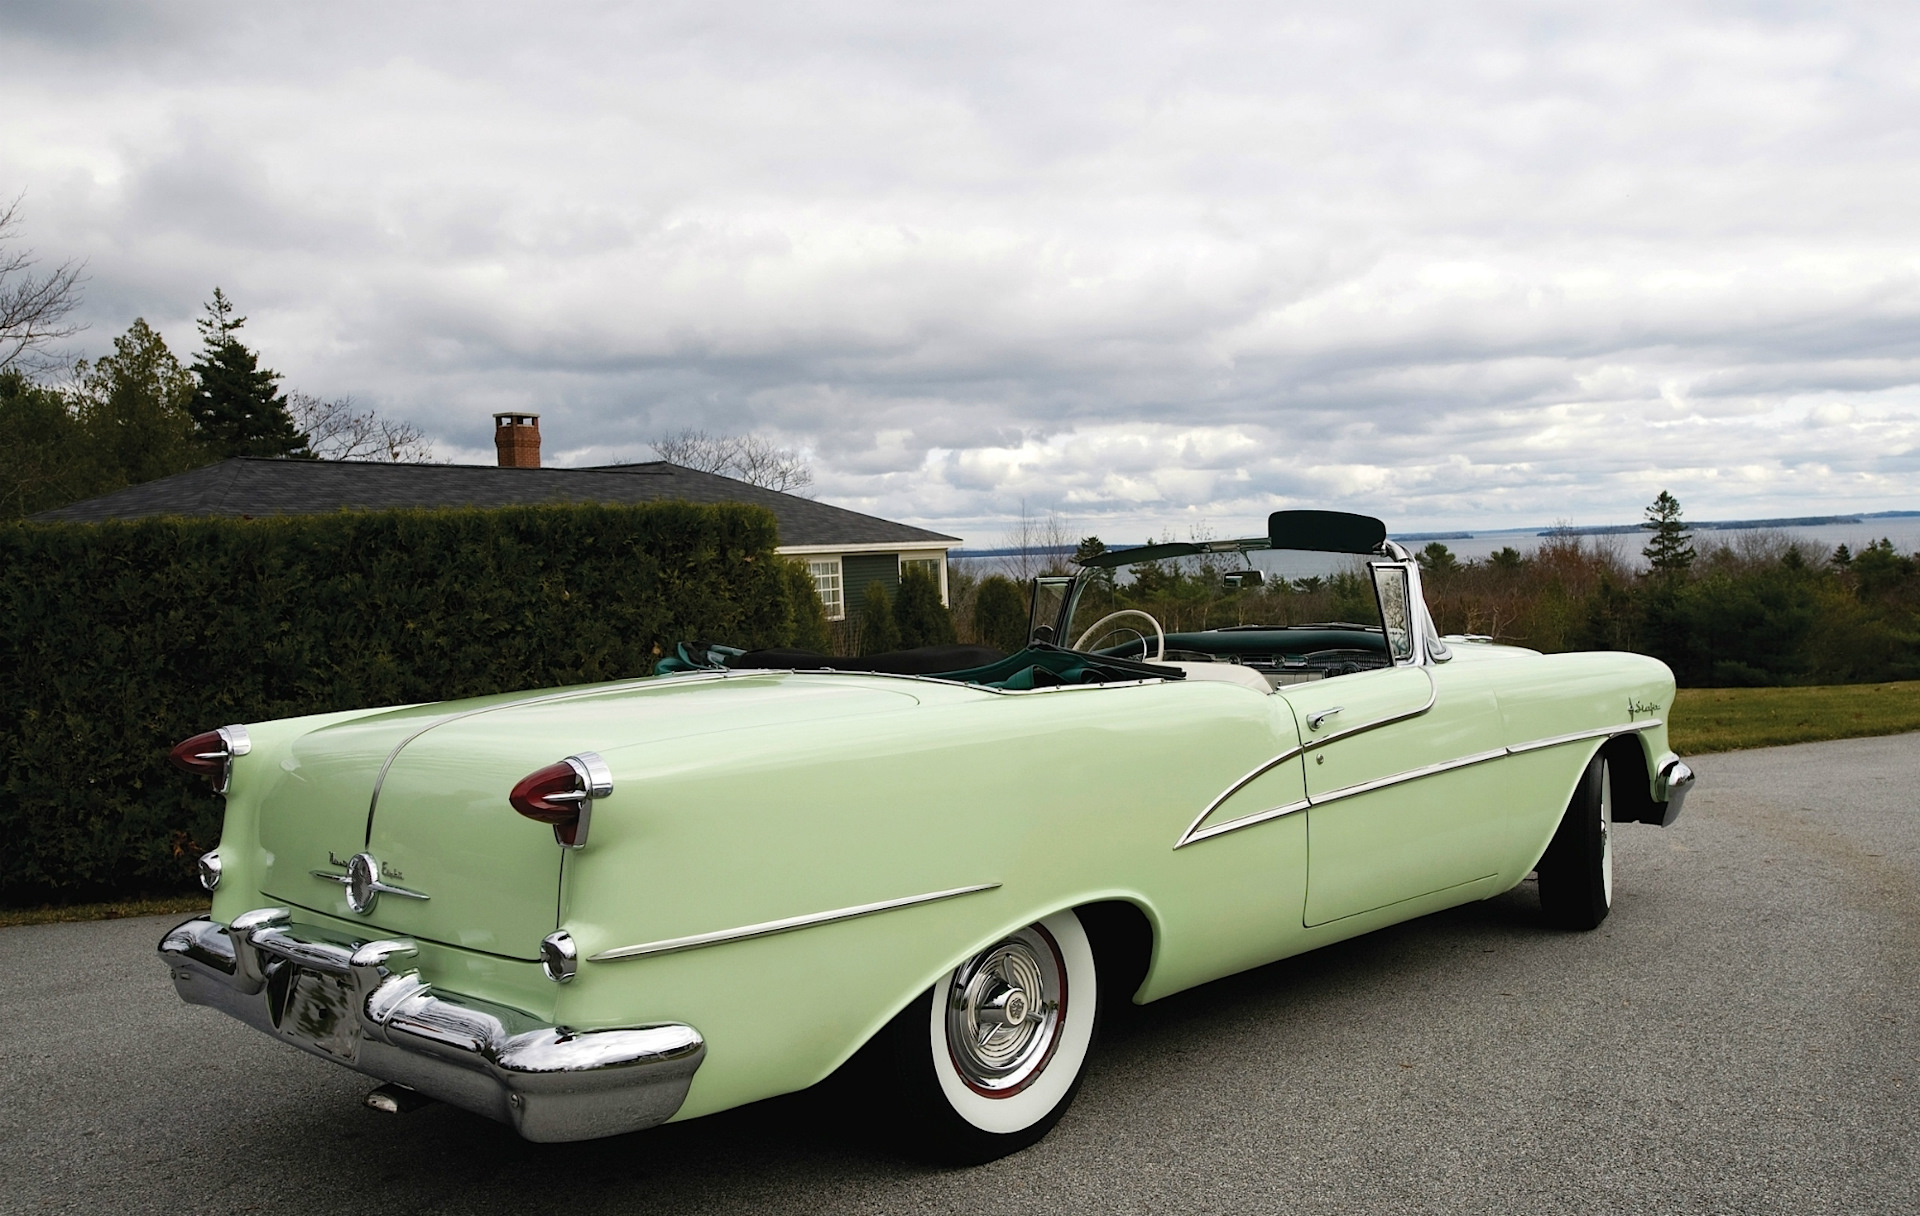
[1729,719]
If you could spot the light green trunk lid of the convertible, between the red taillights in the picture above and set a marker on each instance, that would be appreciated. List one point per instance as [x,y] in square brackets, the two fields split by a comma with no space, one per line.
[443,825]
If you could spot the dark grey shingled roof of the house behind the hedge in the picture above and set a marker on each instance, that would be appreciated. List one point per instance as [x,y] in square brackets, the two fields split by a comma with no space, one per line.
[249,487]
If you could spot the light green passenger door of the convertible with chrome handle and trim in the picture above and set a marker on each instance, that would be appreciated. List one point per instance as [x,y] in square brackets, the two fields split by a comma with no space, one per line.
[1403,771]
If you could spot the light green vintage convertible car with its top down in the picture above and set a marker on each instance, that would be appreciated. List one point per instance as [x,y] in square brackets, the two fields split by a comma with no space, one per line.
[588,912]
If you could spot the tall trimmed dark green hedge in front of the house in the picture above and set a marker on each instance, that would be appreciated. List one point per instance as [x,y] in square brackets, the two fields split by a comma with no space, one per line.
[118,641]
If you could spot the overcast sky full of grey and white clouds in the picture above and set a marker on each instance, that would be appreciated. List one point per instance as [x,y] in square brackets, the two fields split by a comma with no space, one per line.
[1155,268]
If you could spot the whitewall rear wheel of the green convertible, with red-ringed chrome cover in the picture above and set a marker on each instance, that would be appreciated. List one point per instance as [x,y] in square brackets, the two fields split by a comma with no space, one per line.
[992,1059]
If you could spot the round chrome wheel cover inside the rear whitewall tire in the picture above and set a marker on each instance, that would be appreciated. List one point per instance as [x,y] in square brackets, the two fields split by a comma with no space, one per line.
[1003,1013]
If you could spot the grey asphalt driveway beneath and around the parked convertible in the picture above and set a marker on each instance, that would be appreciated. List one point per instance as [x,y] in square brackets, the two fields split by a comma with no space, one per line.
[1740,1036]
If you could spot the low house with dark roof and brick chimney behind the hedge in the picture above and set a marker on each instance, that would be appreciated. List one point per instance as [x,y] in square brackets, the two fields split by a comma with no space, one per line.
[844,550]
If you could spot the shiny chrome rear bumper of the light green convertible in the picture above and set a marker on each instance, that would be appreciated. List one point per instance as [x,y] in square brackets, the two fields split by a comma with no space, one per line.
[350,1002]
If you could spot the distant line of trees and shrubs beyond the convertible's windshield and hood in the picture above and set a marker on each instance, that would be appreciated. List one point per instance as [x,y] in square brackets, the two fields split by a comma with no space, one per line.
[1762,610]
